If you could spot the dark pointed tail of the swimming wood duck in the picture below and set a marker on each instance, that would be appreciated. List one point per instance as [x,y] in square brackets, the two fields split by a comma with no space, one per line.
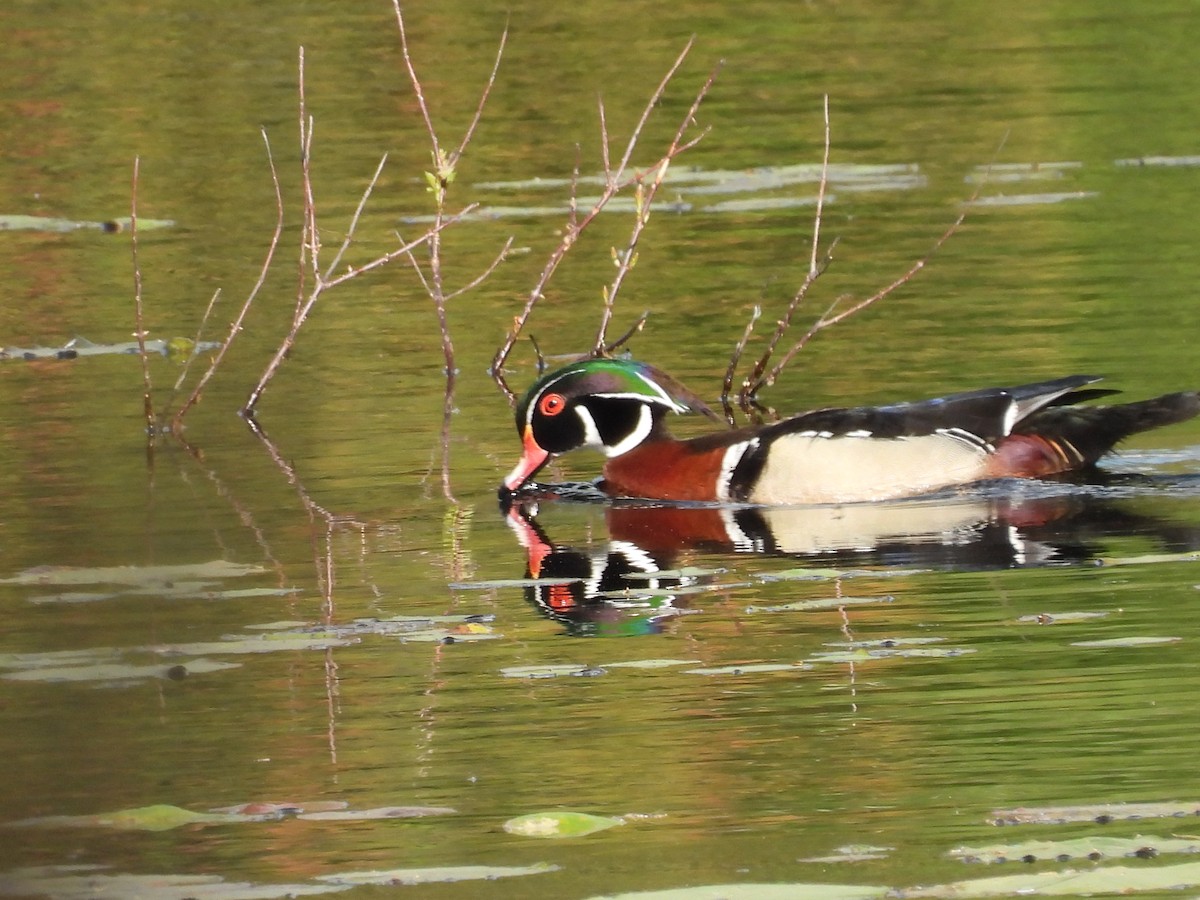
[1090,433]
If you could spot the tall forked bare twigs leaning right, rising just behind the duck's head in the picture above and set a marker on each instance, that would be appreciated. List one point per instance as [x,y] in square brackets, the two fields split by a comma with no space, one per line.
[615,182]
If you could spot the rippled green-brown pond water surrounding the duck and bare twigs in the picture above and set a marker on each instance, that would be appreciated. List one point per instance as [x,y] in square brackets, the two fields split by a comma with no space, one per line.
[333,622]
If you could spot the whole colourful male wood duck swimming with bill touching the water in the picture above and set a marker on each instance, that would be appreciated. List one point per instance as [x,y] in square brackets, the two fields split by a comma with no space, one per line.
[824,457]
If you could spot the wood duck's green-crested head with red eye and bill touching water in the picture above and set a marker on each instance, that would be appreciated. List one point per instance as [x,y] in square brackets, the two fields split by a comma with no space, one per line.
[604,404]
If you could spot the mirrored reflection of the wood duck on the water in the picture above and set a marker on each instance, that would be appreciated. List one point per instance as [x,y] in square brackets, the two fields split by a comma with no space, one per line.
[649,566]
